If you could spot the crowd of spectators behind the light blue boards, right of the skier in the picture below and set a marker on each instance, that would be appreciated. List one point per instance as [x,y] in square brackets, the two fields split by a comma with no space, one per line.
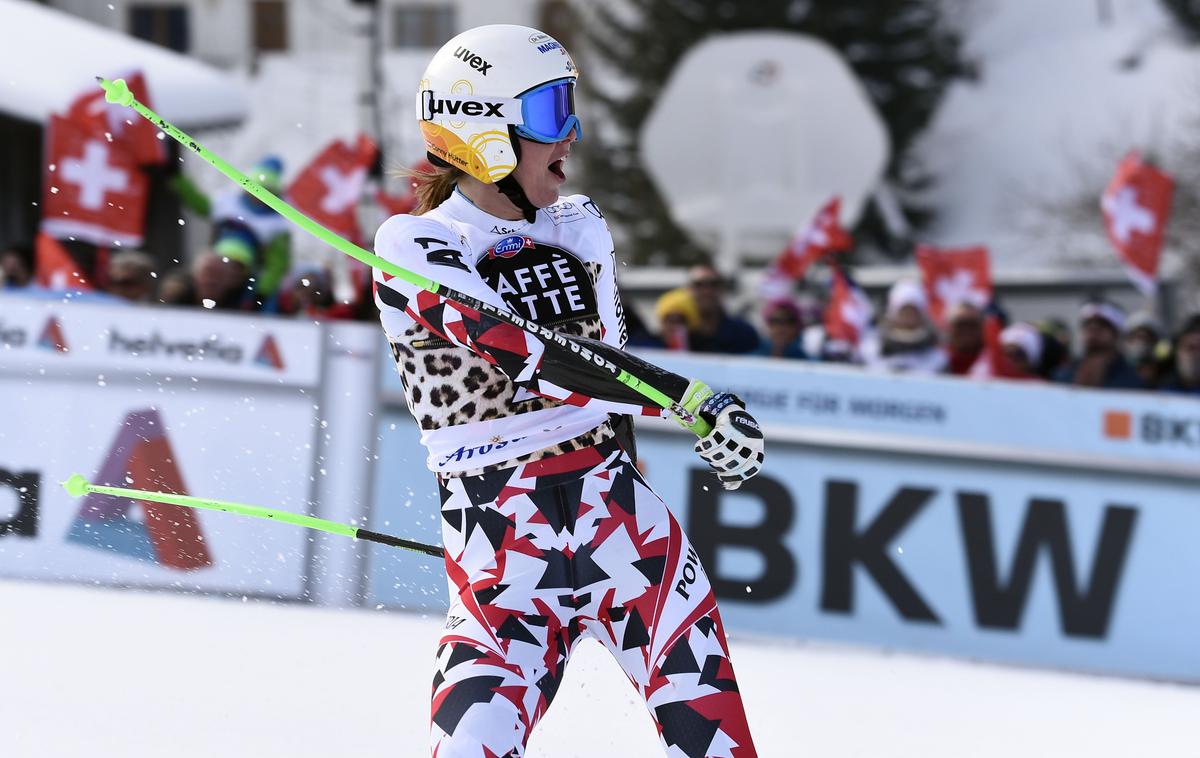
[1108,350]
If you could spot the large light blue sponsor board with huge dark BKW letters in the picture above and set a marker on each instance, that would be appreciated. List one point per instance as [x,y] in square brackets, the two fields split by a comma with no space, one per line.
[1042,567]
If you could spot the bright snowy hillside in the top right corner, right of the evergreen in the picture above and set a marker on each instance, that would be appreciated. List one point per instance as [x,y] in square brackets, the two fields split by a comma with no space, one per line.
[1060,89]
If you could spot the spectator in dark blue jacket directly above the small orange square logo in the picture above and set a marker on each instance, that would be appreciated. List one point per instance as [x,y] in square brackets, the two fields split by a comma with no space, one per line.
[1102,365]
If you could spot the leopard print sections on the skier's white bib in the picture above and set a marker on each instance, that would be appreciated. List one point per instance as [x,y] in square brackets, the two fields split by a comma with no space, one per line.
[447,386]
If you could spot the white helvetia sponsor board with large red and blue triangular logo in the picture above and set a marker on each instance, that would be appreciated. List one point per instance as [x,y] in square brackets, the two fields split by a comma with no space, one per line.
[155,419]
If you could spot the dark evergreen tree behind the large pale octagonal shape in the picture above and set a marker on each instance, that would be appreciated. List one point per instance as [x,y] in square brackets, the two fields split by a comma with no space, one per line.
[902,51]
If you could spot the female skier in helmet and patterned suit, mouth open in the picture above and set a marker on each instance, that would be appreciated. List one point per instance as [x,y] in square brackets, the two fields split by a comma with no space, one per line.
[550,532]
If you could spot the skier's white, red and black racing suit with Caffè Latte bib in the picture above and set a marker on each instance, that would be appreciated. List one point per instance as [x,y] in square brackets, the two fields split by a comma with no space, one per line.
[550,532]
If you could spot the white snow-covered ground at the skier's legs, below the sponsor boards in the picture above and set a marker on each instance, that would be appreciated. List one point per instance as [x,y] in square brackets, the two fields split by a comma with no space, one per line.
[98,672]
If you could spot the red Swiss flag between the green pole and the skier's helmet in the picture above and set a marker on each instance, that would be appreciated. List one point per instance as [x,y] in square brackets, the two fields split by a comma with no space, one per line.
[328,190]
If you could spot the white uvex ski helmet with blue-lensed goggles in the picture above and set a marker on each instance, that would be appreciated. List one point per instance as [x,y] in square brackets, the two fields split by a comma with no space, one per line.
[488,86]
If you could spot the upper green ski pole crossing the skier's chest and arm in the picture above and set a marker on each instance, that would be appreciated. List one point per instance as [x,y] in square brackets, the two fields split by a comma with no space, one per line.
[117,92]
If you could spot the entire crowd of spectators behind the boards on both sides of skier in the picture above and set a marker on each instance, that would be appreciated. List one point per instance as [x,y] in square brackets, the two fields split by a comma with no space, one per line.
[1108,350]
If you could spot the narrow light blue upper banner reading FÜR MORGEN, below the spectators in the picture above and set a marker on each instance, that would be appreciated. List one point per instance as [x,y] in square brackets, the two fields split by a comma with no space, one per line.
[994,419]
